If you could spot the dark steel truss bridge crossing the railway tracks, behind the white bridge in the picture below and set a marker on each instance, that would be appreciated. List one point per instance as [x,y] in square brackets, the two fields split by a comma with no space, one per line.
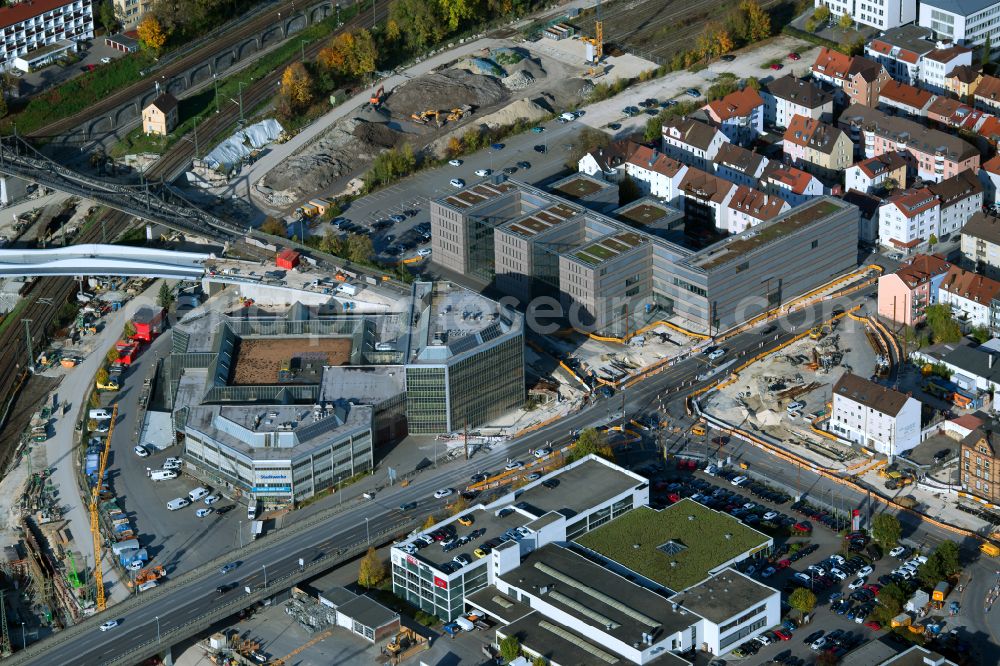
[155,202]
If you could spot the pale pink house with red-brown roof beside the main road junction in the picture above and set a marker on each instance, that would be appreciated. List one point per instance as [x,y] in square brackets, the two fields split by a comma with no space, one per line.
[905,295]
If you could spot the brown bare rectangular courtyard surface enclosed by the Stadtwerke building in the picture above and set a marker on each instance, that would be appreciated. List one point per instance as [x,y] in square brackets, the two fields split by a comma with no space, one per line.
[261,362]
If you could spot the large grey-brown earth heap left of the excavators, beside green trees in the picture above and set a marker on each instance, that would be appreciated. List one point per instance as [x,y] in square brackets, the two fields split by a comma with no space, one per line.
[348,147]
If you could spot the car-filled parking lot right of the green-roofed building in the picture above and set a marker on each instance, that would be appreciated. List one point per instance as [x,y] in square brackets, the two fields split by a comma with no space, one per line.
[845,574]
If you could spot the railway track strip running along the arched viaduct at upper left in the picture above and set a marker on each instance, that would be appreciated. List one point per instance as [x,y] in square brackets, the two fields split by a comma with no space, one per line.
[199,55]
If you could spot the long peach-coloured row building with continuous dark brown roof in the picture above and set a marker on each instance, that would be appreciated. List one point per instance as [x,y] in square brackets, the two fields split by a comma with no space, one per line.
[935,155]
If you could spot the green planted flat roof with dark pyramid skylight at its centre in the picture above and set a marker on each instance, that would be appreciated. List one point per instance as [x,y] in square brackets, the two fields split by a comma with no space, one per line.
[676,547]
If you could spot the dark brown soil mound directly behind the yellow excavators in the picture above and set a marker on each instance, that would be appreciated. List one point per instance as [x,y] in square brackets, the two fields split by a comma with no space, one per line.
[445,90]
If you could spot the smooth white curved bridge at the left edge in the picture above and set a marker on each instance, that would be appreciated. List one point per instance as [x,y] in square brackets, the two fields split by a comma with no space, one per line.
[96,259]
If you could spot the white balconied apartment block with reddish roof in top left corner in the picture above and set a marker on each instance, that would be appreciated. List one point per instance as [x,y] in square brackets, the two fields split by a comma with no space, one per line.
[34,33]
